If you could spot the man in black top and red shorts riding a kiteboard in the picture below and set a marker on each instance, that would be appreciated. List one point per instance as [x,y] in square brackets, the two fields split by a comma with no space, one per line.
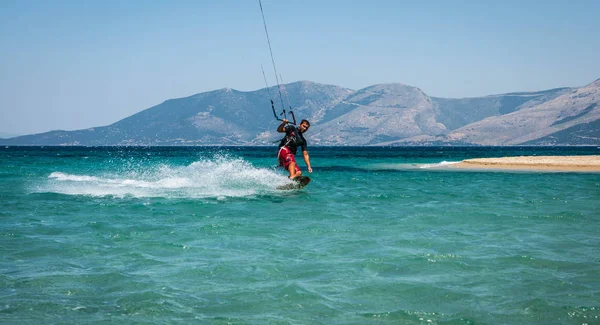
[289,145]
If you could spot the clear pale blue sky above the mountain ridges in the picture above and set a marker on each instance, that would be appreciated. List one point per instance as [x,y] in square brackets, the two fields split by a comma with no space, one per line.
[72,65]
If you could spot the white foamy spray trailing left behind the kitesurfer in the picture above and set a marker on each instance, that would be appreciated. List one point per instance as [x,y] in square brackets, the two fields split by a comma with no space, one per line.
[217,177]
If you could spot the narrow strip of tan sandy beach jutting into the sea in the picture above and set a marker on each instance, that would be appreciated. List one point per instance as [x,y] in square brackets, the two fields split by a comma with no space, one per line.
[550,163]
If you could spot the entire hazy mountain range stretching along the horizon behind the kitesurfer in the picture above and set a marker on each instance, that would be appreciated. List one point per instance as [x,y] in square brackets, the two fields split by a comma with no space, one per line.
[385,114]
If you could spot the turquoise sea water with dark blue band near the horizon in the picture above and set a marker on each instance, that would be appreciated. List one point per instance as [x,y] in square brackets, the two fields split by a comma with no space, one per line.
[166,235]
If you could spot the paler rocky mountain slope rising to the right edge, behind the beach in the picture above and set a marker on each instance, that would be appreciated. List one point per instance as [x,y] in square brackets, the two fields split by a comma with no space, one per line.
[558,117]
